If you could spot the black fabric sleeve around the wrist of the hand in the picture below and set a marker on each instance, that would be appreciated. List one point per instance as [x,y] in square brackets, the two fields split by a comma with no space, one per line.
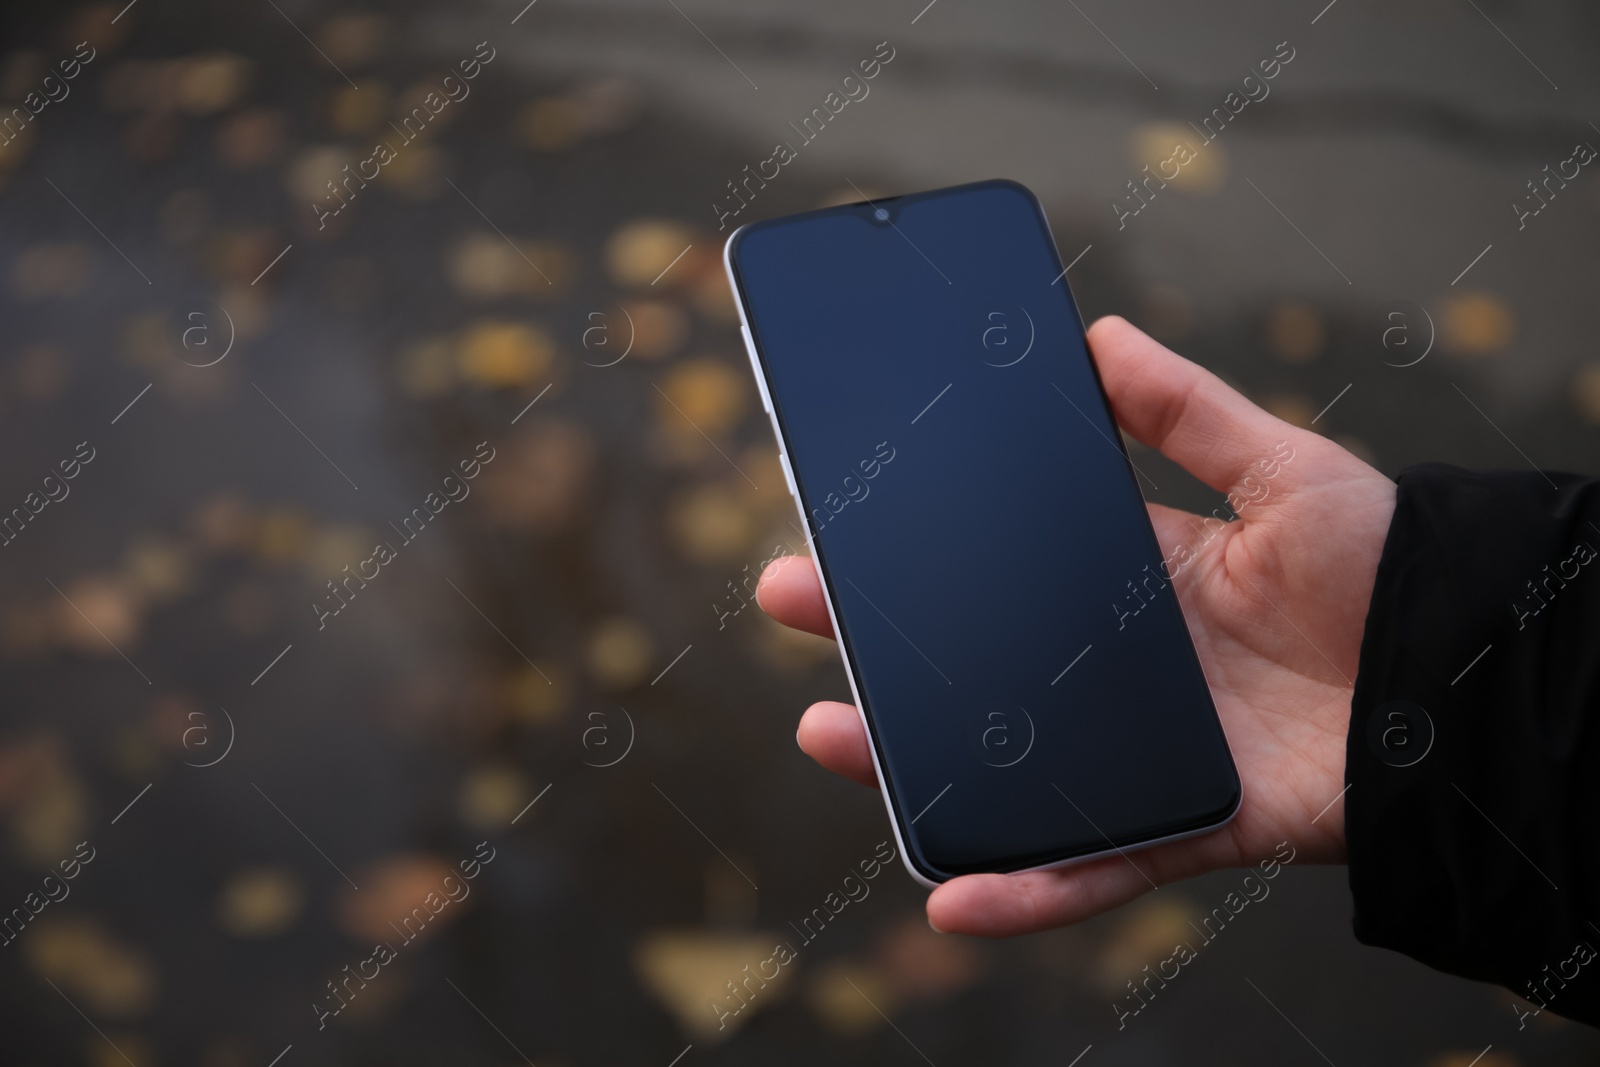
[1473,817]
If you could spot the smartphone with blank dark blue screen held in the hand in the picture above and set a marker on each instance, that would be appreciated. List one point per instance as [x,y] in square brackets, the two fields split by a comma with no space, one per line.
[1014,644]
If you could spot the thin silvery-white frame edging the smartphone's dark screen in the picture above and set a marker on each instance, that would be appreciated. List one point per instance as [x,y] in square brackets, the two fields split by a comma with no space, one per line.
[844,653]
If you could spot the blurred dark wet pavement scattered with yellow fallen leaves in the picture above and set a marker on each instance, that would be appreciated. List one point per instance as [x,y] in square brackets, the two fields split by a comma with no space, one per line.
[561,665]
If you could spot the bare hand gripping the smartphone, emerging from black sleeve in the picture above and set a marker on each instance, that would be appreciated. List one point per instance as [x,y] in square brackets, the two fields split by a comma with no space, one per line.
[1276,602]
